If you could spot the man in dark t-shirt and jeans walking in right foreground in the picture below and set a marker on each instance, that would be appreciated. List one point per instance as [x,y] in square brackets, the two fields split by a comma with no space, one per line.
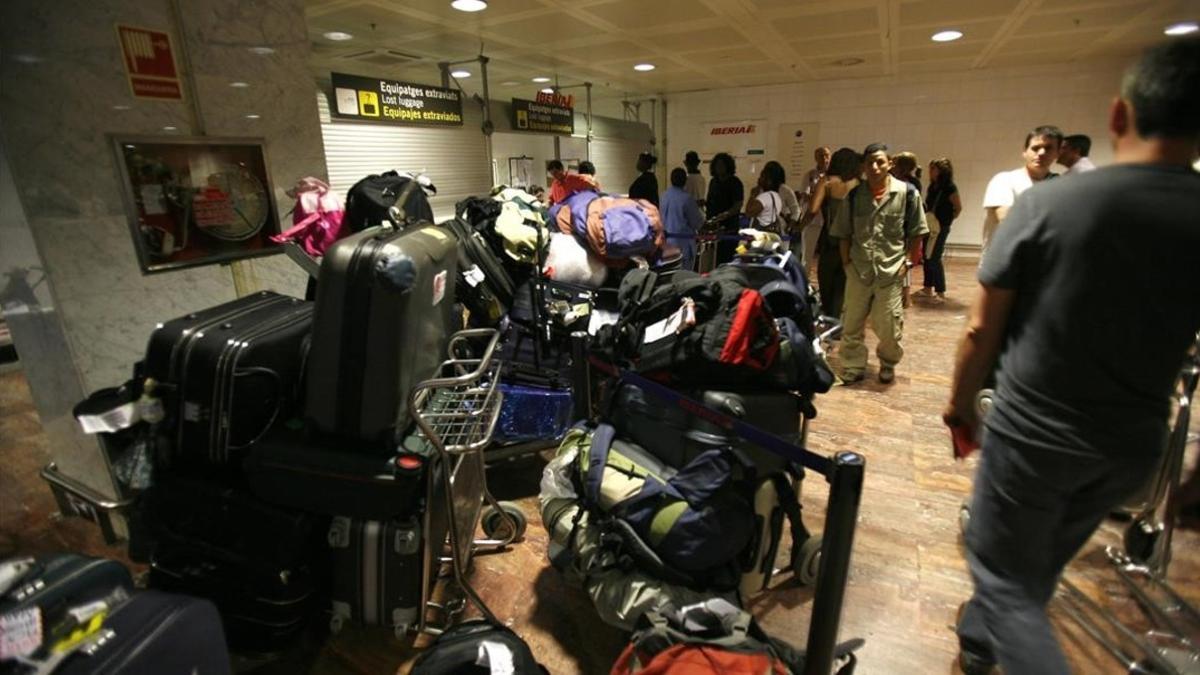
[1090,297]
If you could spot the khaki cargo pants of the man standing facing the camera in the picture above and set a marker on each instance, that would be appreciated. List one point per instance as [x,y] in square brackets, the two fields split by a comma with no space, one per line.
[883,302]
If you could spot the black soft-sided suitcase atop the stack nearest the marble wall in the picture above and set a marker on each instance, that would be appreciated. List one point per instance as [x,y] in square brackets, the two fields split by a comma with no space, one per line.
[229,373]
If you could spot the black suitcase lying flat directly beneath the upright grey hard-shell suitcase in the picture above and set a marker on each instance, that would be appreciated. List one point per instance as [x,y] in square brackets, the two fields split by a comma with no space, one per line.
[292,470]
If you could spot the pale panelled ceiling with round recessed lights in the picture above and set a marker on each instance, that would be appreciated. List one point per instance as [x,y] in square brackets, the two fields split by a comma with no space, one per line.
[721,44]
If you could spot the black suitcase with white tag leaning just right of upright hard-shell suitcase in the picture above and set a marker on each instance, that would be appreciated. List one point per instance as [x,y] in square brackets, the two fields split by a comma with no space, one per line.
[484,286]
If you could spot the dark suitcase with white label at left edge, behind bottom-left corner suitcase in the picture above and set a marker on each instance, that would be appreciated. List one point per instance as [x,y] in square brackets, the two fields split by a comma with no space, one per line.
[40,594]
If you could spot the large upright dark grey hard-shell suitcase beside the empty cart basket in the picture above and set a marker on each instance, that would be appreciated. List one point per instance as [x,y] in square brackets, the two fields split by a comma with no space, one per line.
[381,326]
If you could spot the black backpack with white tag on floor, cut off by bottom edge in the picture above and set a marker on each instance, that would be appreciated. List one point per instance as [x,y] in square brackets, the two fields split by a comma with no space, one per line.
[457,652]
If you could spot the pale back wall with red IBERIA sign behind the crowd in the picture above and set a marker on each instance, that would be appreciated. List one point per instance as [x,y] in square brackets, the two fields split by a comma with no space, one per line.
[979,120]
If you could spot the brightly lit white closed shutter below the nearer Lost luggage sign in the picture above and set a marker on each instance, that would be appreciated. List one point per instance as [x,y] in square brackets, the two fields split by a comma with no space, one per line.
[455,158]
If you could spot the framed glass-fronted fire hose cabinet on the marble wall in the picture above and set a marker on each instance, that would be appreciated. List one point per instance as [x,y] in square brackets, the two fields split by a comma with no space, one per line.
[197,201]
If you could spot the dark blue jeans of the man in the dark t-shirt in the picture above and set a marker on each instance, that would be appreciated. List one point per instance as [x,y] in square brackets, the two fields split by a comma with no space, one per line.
[1031,512]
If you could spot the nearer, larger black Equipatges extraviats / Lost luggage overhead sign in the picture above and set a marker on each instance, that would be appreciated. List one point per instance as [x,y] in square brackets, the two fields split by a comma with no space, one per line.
[368,99]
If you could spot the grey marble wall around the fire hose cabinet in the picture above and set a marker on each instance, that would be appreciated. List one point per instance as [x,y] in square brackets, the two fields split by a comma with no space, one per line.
[63,92]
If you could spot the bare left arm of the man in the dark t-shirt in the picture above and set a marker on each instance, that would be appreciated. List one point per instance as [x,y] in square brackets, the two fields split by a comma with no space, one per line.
[977,354]
